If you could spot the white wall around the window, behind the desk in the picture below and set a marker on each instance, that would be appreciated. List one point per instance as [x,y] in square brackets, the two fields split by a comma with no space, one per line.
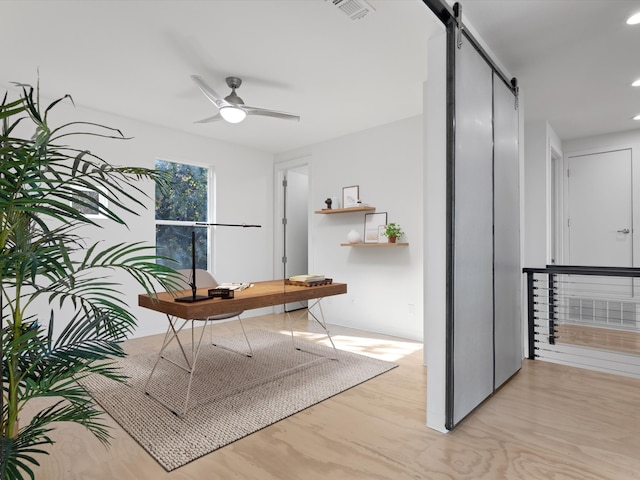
[244,194]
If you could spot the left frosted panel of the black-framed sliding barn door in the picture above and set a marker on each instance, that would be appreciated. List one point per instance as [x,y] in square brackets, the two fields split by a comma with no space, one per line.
[473,237]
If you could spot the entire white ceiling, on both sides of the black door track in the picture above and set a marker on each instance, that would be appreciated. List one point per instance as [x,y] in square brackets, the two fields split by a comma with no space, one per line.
[574,59]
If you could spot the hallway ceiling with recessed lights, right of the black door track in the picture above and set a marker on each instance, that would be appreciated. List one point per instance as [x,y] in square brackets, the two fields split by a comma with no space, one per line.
[575,59]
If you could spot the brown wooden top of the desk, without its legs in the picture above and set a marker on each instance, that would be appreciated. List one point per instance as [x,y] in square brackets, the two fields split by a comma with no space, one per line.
[262,294]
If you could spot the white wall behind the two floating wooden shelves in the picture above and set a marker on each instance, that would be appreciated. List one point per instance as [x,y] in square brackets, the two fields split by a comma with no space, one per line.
[385,287]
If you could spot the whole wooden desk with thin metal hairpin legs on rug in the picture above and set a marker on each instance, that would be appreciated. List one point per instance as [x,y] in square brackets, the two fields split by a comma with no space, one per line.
[261,294]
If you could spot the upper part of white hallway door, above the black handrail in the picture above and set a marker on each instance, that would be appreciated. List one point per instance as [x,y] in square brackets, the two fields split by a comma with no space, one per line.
[600,230]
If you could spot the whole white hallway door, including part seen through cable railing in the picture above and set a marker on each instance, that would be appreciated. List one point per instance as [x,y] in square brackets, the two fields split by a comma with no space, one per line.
[600,233]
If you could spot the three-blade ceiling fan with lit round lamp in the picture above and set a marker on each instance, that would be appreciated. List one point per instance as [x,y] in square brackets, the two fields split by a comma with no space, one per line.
[232,108]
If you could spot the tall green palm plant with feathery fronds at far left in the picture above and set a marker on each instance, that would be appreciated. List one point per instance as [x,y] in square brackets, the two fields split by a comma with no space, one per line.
[45,188]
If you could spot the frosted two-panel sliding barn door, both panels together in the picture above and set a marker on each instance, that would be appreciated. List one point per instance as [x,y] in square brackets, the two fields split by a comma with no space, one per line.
[484,322]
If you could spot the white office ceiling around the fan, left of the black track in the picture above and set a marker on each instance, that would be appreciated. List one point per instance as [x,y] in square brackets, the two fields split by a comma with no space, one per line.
[134,58]
